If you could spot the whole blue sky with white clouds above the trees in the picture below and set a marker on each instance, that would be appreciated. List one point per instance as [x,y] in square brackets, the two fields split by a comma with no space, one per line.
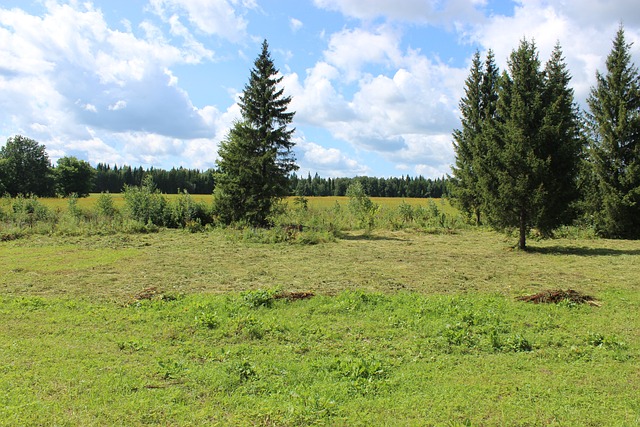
[375,84]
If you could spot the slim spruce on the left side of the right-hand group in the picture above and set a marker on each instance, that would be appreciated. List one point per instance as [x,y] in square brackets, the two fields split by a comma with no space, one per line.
[478,108]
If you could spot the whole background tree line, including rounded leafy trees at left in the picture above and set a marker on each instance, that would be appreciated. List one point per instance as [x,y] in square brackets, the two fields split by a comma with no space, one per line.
[27,159]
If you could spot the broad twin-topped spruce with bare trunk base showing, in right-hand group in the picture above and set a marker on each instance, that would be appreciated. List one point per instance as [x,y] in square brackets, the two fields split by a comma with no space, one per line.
[529,146]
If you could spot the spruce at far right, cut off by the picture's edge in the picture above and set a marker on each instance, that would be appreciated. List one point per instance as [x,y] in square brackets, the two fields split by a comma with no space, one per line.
[614,119]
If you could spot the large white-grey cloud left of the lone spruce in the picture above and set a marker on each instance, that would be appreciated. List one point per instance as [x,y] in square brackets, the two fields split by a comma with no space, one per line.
[77,85]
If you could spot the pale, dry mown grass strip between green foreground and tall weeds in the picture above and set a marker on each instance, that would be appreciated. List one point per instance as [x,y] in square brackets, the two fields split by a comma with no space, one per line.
[121,265]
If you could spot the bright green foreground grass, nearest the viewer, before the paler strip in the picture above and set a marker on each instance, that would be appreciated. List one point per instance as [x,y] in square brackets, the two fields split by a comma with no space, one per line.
[356,358]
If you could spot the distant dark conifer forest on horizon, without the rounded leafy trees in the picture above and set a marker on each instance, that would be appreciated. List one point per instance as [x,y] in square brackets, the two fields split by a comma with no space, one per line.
[112,179]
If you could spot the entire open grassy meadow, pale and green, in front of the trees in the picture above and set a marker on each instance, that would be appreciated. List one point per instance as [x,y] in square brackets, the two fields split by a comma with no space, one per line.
[397,326]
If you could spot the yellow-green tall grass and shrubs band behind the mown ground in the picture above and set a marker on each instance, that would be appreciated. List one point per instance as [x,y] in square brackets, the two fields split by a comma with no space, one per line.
[144,209]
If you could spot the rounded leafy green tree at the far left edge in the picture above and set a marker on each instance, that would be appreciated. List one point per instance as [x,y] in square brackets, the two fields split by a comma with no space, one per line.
[25,168]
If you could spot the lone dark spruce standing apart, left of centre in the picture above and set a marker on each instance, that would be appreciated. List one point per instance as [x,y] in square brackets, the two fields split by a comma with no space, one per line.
[256,158]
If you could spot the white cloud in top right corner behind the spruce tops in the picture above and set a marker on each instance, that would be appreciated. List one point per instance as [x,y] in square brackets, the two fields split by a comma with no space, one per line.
[585,31]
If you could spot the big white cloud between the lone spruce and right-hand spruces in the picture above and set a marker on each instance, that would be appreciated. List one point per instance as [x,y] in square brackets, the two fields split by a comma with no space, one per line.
[405,115]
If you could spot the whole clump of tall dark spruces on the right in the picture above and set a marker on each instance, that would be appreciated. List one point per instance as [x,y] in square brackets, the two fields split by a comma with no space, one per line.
[524,158]
